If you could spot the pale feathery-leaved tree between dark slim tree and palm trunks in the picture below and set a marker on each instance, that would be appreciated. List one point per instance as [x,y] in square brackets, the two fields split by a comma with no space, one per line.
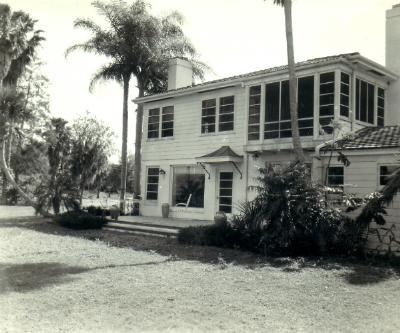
[91,146]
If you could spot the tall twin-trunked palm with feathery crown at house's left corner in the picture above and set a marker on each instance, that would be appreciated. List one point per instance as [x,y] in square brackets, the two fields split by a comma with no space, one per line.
[138,44]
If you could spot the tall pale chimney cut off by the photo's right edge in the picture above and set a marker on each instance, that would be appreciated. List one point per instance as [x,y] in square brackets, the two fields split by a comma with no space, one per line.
[393,64]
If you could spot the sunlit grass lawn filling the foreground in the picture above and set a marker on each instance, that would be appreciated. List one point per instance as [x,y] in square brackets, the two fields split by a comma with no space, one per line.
[56,280]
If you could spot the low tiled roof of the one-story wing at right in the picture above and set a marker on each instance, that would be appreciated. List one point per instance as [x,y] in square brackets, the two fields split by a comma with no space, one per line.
[372,137]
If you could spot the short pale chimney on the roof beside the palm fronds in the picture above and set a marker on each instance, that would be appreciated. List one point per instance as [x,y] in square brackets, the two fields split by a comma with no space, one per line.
[180,74]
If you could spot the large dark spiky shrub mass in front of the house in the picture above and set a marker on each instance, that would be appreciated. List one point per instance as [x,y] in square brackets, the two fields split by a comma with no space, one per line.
[289,216]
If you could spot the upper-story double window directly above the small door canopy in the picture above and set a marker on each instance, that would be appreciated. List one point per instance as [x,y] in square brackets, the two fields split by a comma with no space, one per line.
[225,120]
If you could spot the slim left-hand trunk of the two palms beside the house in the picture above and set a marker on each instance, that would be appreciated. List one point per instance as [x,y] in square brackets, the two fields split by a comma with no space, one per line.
[124,152]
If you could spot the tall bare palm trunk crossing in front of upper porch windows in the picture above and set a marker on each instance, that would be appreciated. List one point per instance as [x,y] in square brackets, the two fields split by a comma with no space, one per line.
[292,83]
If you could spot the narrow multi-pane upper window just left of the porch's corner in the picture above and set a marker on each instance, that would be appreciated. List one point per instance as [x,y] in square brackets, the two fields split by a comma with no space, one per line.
[326,100]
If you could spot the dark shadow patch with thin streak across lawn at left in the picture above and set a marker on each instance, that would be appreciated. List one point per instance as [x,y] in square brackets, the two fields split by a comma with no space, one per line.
[32,276]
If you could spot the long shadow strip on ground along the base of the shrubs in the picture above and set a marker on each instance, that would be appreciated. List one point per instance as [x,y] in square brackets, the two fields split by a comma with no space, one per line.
[352,270]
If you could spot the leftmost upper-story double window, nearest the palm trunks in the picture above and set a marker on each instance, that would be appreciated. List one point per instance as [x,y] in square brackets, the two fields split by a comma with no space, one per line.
[165,126]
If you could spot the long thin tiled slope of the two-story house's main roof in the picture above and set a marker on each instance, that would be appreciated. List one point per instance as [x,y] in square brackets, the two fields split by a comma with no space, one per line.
[314,61]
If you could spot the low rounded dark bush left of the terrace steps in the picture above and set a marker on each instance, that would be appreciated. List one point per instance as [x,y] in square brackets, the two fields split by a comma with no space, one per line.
[80,220]
